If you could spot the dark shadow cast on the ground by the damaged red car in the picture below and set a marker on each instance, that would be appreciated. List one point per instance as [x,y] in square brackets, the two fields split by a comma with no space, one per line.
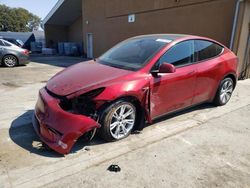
[22,133]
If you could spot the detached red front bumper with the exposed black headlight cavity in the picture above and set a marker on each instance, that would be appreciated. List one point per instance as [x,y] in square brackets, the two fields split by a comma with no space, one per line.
[59,121]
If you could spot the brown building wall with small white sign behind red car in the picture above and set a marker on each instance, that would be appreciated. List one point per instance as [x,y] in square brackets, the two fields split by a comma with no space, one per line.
[108,21]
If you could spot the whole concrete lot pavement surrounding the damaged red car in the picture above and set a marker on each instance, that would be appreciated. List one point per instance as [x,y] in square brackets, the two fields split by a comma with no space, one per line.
[205,146]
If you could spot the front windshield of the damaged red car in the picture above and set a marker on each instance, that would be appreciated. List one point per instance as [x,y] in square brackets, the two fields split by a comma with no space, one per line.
[132,54]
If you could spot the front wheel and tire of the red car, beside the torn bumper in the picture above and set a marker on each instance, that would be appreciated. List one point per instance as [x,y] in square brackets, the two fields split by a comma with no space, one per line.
[118,120]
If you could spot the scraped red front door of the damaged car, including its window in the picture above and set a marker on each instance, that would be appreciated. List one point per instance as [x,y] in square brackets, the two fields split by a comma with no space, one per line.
[170,92]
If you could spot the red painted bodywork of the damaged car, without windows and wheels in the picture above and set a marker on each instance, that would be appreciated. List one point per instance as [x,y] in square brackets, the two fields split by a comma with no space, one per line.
[157,94]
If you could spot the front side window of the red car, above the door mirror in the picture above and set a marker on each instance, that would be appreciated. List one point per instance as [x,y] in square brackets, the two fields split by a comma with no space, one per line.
[179,55]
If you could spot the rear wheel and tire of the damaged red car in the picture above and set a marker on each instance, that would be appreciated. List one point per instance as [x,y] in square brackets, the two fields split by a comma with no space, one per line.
[224,92]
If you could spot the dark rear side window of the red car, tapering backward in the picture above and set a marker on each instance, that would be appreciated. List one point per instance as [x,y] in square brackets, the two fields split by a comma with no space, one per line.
[206,49]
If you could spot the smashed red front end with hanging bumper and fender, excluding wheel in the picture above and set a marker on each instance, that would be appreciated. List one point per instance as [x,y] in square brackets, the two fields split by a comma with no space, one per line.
[60,120]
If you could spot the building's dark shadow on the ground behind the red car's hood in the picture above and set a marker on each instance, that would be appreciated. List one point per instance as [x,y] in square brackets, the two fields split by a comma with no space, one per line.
[59,61]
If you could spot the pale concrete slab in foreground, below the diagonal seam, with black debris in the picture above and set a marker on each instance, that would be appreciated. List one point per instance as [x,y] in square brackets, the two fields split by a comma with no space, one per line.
[213,154]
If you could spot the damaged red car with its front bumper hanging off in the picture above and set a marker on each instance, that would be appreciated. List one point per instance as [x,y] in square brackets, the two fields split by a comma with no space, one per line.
[137,81]
